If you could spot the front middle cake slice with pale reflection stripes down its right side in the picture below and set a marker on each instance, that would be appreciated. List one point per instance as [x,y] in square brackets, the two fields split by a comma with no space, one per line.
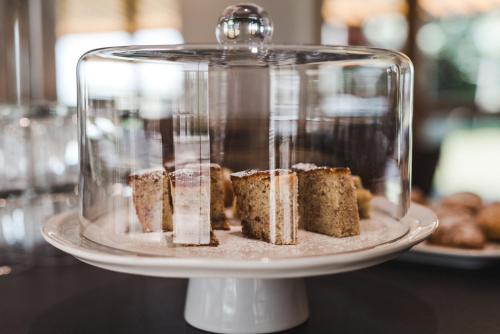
[267,205]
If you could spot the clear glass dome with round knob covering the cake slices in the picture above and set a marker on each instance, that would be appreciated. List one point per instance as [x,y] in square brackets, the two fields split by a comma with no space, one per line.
[244,146]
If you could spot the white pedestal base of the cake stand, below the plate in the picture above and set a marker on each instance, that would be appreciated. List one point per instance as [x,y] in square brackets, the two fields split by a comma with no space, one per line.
[235,305]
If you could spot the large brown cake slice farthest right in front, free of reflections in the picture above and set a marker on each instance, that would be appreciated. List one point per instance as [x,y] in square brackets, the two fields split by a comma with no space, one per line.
[328,200]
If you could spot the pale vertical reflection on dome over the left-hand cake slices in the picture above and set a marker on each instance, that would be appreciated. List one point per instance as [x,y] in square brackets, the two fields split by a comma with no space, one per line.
[191,180]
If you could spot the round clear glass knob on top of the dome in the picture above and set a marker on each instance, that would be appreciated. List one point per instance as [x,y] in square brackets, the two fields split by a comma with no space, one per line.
[244,23]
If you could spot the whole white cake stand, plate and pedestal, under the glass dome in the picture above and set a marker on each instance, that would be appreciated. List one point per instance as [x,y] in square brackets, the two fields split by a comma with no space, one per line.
[231,291]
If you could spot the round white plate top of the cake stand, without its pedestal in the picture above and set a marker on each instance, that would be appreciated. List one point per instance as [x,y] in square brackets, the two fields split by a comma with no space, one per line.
[310,259]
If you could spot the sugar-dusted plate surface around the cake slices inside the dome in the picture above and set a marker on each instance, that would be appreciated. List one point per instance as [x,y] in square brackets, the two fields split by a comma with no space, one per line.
[380,229]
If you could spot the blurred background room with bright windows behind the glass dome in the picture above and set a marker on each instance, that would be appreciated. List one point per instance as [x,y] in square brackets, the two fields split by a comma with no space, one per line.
[454,45]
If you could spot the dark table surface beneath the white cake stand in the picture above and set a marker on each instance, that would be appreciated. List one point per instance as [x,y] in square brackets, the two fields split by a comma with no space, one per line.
[395,297]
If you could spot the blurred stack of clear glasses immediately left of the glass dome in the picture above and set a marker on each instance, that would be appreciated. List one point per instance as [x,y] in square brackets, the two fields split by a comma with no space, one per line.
[54,168]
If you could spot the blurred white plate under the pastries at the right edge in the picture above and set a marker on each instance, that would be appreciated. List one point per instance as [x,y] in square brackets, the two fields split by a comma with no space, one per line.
[426,253]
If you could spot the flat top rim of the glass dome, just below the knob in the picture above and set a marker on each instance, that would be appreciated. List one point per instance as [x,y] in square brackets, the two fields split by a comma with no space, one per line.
[377,54]
